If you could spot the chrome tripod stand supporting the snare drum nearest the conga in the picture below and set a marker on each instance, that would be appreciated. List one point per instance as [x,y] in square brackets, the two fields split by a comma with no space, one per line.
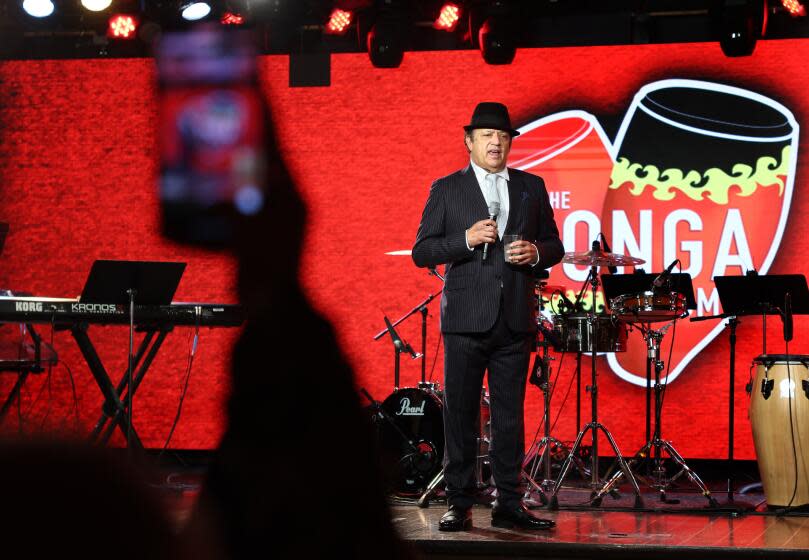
[655,446]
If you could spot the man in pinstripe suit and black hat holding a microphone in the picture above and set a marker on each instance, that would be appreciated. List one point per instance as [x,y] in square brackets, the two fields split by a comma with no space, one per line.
[488,312]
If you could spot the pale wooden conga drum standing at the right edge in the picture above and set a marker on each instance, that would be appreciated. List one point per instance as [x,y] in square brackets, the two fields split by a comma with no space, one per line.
[778,393]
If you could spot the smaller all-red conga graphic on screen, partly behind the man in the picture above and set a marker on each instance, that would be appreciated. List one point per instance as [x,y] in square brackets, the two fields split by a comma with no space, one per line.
[570,151]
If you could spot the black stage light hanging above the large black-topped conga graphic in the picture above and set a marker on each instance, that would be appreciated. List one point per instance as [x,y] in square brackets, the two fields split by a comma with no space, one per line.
[741,24]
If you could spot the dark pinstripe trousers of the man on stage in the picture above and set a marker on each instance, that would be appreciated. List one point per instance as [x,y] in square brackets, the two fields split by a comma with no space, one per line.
[467,356]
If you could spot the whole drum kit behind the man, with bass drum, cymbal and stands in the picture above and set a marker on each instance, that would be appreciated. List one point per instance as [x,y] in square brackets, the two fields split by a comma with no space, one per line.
[411,418]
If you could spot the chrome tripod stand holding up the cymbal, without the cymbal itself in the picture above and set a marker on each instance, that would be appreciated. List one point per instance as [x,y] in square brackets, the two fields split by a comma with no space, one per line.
[594,426]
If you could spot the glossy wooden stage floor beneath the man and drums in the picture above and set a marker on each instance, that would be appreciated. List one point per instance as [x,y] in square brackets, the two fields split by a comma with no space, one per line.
[611,532]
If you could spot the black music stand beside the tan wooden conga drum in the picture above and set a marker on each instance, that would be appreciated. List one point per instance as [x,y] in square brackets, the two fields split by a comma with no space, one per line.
[754,295]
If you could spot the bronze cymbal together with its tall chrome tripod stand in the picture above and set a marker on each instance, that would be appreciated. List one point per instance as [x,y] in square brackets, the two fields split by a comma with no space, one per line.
[595,258]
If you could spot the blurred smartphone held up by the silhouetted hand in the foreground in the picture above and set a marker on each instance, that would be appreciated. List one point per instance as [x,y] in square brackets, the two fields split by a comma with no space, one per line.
[211,121]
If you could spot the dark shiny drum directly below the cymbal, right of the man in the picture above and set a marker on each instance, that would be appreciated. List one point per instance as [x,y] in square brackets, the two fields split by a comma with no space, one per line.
[573,333]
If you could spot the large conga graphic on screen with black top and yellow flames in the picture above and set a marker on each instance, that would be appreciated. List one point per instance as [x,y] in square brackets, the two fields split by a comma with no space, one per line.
[704,173]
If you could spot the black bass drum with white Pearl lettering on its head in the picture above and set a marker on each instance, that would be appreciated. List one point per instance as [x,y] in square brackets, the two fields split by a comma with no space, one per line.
[411,432]
